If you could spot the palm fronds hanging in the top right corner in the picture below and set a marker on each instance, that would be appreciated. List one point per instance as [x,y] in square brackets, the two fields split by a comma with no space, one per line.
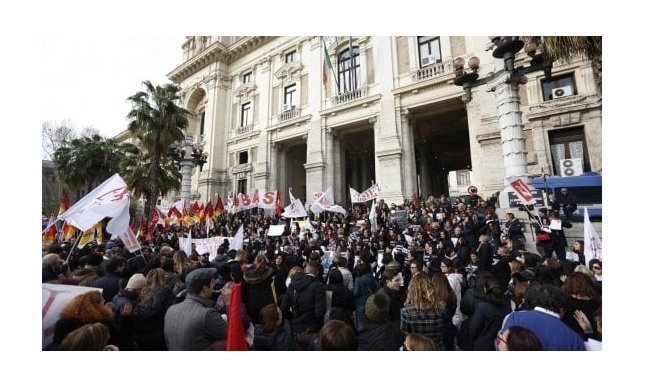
[567,48]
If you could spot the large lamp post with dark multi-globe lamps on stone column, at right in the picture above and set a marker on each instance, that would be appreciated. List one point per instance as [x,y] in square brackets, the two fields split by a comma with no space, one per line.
[505,84]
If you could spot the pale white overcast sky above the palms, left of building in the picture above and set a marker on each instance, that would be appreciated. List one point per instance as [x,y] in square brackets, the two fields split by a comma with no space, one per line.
[89,78]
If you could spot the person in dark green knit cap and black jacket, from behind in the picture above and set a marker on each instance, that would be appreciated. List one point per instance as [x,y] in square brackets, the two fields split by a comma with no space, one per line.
[378,333]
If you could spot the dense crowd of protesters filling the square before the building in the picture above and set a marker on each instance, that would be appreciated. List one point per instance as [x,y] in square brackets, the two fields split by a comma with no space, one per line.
[449,275]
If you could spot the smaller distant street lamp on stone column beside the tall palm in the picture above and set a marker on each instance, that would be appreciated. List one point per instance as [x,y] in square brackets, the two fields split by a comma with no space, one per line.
[188,154]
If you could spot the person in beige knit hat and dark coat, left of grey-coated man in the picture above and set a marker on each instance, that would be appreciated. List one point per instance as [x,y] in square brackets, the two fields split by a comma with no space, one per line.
[122,305]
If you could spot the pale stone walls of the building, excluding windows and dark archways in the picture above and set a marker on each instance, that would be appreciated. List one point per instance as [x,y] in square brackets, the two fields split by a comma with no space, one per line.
[393,89]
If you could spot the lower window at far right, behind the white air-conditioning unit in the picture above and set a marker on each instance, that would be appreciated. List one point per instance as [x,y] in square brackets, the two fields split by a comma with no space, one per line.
[568,144]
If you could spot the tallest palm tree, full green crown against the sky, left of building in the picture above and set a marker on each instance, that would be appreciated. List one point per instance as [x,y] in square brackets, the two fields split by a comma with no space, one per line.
[157,122]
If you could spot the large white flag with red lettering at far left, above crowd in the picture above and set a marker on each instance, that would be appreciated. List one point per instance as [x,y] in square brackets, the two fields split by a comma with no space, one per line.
[110,199]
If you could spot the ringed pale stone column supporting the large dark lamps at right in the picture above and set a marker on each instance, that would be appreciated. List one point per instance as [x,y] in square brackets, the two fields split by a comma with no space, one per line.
[506,88]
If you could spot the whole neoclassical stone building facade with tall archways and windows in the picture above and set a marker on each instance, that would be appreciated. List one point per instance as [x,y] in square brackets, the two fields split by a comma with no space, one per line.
[387,111]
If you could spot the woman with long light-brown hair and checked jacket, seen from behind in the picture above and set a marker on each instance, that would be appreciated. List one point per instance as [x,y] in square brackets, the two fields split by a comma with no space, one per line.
[423,310]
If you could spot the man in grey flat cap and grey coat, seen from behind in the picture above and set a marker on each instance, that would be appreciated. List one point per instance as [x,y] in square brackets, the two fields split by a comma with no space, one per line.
[194,324]
